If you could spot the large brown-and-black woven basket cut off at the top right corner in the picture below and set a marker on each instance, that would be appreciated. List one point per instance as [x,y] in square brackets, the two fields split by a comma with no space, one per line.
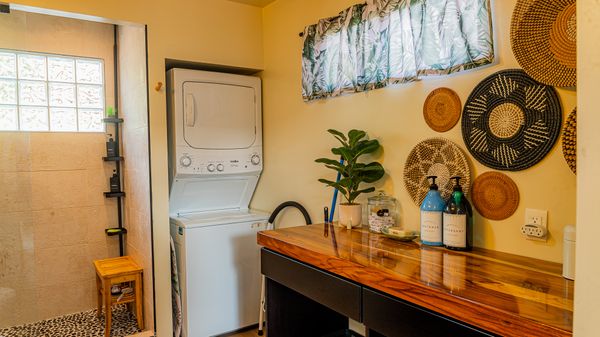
[543,38]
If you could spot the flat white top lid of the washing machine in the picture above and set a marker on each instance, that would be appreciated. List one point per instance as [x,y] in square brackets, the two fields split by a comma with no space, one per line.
[216,218]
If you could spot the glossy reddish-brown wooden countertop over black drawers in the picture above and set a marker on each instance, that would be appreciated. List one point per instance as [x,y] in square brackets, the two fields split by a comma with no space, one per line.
[502,293]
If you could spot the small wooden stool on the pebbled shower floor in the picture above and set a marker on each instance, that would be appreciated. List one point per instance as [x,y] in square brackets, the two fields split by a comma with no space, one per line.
[115,271]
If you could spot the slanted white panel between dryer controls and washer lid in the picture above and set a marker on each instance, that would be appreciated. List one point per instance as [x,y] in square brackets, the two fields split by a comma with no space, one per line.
[218,193]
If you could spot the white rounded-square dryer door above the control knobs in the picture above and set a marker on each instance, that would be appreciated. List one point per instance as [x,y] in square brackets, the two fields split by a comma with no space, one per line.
[219,116]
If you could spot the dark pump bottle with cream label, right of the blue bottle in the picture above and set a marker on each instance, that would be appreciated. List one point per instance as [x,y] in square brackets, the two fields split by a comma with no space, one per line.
[458,220]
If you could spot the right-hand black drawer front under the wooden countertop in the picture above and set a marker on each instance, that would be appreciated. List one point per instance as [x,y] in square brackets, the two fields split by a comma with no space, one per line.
[393,317]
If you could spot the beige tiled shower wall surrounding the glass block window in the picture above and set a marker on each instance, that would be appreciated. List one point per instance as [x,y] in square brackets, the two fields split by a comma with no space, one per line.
[52,210]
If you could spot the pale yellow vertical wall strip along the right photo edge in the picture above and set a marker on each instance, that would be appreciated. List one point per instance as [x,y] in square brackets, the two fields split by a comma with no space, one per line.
[587,285]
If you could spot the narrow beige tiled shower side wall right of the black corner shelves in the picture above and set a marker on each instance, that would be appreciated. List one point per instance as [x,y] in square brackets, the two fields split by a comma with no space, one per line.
[136,167]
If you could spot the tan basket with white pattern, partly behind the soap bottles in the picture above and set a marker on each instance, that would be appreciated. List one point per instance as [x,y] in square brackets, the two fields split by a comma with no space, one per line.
[435,157]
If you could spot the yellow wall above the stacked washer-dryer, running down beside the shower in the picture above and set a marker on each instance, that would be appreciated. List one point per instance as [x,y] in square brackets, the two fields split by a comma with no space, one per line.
[210,31]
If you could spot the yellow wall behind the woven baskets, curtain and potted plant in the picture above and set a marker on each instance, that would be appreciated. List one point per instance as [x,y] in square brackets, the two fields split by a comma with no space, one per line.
[294,133]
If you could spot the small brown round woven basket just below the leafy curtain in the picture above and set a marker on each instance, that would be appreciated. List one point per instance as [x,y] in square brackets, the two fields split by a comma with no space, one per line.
[442,109]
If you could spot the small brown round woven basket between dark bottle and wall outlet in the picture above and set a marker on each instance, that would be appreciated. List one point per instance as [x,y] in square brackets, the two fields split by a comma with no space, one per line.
[495,195]
